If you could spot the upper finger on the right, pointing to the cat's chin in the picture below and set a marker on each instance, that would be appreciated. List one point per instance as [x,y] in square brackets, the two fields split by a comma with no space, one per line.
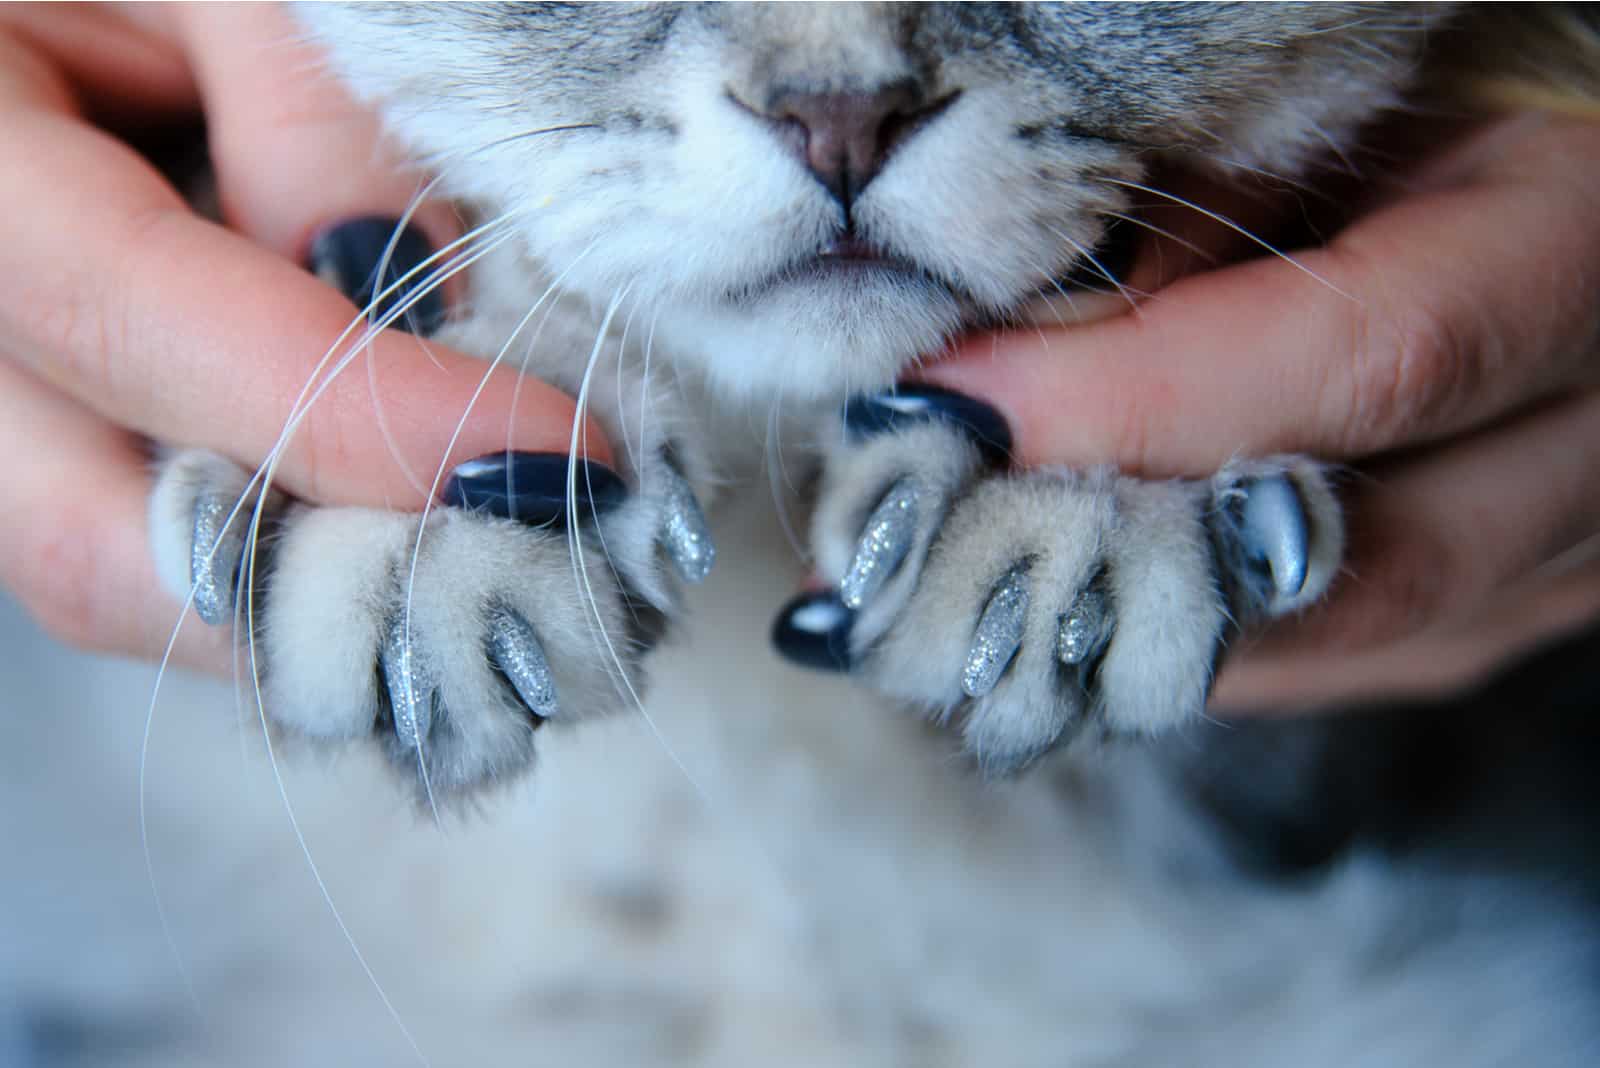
[1430,317]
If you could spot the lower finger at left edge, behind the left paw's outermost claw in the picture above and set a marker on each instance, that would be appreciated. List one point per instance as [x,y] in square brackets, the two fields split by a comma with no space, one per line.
[76,551]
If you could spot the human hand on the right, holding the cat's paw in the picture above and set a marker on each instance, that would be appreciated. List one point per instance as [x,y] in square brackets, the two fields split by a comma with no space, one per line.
[1447,348]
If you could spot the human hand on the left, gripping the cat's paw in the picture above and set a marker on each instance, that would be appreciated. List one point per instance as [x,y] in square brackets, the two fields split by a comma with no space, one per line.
[126,317]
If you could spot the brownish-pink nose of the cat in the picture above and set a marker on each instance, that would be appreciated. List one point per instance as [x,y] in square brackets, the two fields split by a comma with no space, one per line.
[846,138]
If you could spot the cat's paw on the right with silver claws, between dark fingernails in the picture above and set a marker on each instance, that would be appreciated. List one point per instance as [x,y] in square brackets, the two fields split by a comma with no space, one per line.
[1025,607]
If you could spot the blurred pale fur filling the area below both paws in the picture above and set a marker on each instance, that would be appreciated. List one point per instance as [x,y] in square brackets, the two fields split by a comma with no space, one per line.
[834,891]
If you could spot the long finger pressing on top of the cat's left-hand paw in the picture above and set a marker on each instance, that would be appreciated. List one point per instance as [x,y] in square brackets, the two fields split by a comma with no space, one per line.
[191,335]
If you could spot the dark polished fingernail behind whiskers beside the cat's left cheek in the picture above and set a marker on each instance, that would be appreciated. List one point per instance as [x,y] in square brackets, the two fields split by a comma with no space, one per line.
[350,253]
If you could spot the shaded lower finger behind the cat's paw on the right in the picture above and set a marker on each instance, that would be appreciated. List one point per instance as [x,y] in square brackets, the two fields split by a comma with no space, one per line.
[1438,538]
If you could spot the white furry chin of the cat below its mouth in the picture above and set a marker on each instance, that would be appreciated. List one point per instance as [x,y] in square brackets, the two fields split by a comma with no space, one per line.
[812,345]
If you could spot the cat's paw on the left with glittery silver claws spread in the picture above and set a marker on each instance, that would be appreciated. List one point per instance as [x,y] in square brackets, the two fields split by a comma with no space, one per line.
[450,640]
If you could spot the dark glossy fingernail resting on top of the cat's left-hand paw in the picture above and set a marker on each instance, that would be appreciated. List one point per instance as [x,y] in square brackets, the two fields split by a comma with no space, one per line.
[532,487]
